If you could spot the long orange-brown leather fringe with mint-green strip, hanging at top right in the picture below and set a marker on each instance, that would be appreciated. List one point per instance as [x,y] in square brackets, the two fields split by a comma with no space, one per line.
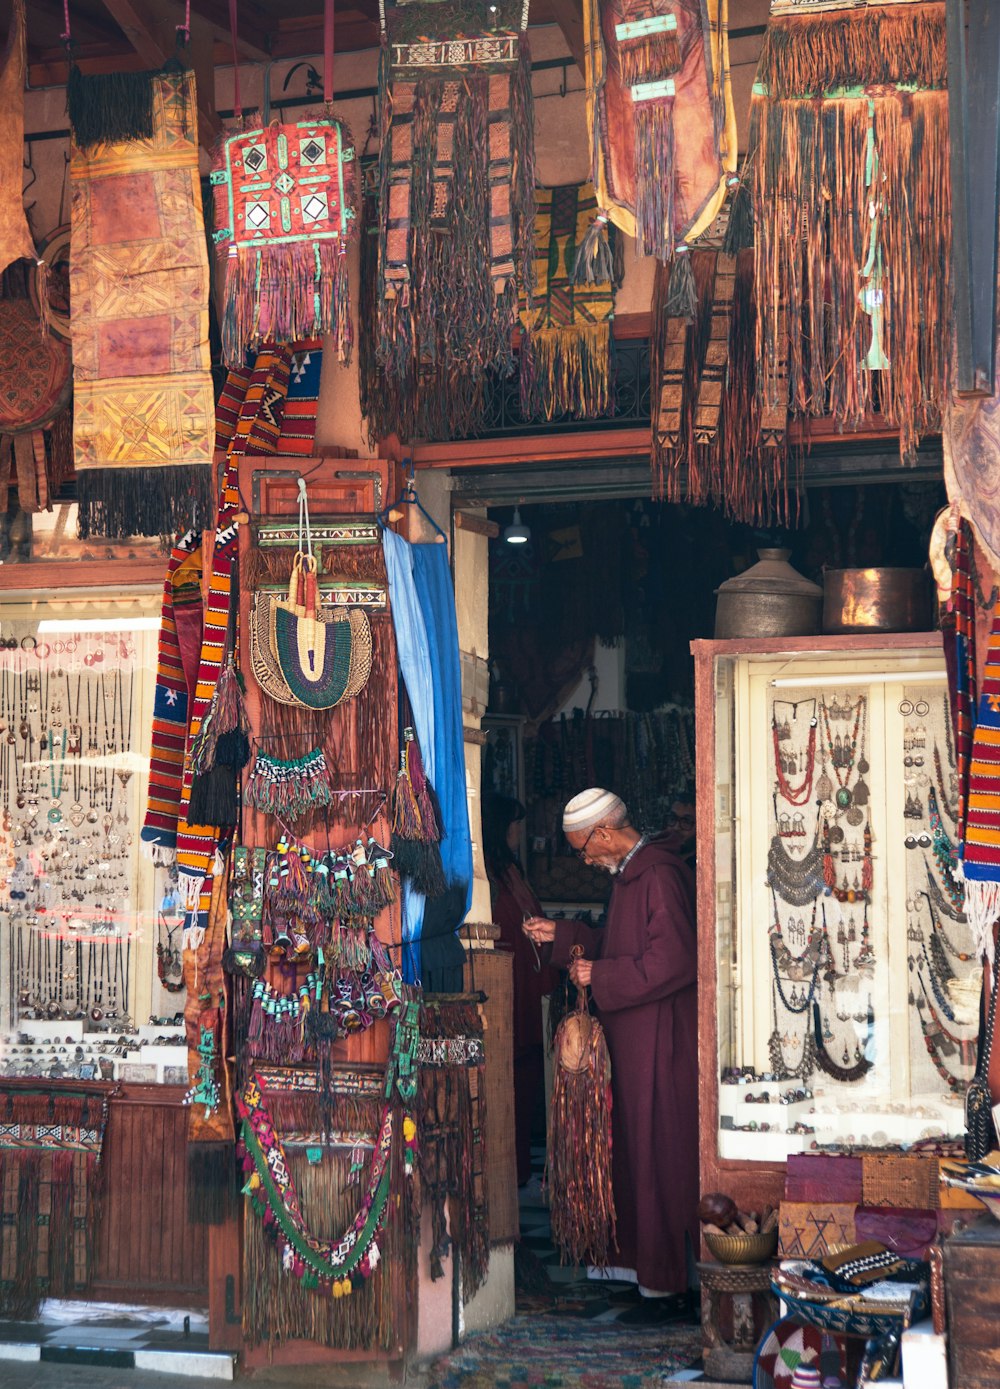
[812,244]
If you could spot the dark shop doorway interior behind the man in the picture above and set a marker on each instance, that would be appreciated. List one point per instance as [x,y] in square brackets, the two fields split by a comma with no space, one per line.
[594,604]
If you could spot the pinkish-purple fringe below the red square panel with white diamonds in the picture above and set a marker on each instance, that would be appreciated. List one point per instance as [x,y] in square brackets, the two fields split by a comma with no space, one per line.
[281,294]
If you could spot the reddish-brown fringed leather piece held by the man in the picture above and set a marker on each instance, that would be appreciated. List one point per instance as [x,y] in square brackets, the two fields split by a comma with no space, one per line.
[581,1201]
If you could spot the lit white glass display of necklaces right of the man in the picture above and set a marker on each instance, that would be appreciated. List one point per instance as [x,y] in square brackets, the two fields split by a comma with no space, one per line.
[848,994]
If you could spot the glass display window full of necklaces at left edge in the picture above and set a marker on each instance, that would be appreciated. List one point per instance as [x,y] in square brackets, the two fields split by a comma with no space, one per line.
[90,930]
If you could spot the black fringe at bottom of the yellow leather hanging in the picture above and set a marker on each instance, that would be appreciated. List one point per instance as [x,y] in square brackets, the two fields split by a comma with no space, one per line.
[117,504]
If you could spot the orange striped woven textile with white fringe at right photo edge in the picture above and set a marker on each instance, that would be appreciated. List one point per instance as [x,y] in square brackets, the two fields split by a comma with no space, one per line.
[981,851]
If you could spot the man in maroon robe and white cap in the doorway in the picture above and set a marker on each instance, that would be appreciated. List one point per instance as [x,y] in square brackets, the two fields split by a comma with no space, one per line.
[642,970]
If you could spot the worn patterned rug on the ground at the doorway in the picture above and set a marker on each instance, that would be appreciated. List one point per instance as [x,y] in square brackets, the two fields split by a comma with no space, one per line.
[567,1354]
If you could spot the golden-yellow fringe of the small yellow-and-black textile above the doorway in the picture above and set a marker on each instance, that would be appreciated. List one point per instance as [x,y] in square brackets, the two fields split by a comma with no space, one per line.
[566,372]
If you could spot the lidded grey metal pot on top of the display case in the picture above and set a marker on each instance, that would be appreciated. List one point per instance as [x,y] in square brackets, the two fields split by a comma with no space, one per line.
[770,599]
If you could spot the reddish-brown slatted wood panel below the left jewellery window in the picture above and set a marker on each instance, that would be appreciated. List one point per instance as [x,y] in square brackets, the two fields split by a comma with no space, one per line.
[148,1251]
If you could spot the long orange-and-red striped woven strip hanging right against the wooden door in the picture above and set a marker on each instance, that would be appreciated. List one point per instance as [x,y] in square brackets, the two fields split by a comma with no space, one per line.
[197,845]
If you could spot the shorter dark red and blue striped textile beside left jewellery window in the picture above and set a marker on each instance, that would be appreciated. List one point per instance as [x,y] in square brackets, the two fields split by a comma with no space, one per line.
[170,706]
